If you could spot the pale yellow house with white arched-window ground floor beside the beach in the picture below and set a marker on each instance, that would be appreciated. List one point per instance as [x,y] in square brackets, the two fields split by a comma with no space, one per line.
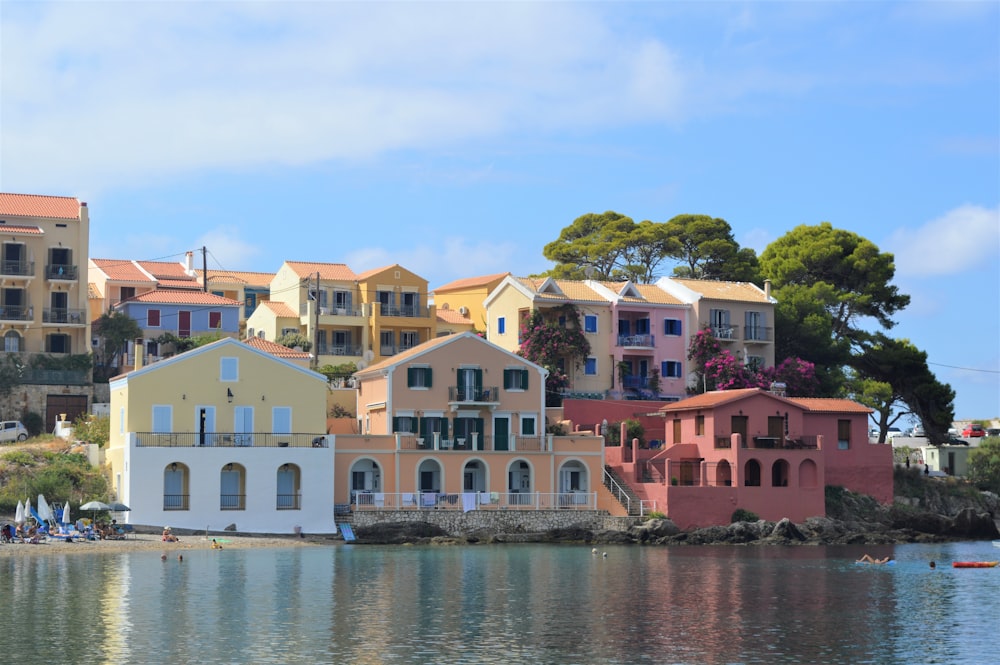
[223,434]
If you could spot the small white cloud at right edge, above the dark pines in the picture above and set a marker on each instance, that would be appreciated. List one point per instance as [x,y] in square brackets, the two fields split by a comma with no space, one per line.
[962,240]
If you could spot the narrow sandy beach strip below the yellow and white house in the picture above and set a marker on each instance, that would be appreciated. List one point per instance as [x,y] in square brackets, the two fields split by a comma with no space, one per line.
[142,542]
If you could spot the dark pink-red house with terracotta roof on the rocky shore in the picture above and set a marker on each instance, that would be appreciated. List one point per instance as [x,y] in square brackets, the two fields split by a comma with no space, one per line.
[754,450]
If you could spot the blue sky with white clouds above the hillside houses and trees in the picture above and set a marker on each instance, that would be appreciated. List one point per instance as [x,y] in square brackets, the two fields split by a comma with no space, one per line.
[458,138]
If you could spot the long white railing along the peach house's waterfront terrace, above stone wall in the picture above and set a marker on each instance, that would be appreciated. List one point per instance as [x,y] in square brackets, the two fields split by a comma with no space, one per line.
[364,500]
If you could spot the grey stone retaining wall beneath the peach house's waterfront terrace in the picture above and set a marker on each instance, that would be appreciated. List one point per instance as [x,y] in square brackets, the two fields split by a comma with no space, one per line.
[498,521]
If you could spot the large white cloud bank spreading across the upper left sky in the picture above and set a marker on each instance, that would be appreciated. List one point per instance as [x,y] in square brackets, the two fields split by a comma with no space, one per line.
[158,90]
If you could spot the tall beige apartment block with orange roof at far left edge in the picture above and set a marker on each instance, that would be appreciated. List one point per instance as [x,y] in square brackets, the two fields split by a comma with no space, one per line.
[44,295]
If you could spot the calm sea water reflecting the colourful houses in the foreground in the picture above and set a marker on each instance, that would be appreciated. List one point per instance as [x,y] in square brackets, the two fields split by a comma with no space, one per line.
[503,604]
